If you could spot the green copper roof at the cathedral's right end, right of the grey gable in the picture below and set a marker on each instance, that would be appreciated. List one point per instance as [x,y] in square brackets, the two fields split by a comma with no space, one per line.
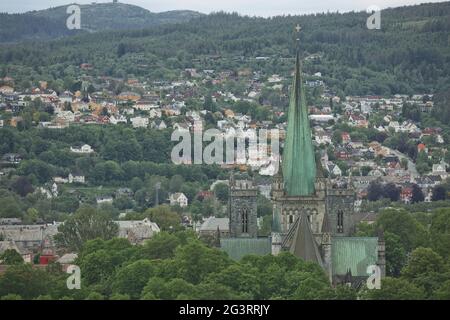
[355,254]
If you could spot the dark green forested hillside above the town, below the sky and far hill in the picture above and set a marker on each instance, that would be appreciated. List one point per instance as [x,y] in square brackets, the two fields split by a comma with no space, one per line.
[410,53]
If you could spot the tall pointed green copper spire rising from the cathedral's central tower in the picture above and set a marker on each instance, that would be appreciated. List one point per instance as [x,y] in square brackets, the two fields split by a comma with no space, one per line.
[299,164]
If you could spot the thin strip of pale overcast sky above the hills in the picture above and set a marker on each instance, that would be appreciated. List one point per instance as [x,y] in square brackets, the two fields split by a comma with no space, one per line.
[250,7]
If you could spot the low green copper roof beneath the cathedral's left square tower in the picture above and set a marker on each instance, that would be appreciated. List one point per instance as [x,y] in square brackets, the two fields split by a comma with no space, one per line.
[237,248]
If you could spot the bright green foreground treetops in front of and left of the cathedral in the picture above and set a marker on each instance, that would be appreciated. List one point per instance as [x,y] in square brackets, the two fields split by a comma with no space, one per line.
[175,266]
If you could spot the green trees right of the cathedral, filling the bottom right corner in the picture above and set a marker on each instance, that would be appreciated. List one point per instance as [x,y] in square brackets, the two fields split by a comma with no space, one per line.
[416,254]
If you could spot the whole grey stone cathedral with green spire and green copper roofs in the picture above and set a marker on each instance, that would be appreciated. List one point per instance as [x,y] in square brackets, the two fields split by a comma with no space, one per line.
[313,218]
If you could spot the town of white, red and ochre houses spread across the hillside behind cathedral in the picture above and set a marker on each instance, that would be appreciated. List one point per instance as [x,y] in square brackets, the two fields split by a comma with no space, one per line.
[350,135]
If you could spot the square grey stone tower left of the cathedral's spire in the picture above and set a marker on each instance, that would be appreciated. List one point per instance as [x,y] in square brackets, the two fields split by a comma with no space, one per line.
[242,209]
